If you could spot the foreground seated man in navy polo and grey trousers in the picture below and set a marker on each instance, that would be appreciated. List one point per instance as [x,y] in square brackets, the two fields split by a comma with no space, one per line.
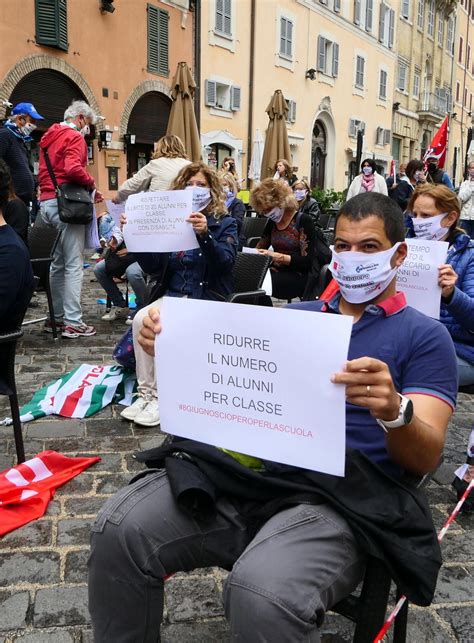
[291,561]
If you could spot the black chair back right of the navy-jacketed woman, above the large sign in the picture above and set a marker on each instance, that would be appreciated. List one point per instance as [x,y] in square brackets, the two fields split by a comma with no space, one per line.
[248,274]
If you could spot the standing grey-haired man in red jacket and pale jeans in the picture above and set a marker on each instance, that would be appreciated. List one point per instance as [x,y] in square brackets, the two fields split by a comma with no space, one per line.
[67,151]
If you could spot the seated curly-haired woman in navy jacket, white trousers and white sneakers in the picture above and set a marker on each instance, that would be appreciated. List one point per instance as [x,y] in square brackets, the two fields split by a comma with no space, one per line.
[204,273]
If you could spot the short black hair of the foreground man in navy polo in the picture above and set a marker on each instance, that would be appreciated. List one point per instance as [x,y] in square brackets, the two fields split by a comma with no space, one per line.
[378,205]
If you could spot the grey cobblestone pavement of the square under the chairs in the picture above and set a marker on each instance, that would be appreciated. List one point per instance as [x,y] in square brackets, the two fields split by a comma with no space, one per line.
[43,592]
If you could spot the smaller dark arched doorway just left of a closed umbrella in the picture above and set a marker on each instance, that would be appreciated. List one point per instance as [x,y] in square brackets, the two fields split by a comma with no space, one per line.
[148,122]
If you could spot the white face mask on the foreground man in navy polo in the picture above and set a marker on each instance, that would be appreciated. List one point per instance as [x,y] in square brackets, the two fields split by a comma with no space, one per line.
[361,276]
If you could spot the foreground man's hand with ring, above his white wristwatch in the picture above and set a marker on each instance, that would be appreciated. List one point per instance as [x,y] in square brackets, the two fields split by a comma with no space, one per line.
[369,384]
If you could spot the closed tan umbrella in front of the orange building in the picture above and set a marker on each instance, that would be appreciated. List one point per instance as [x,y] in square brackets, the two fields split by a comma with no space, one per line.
[182,121]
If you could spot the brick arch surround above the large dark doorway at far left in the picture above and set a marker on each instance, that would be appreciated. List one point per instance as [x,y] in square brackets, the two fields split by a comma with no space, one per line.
[43,61]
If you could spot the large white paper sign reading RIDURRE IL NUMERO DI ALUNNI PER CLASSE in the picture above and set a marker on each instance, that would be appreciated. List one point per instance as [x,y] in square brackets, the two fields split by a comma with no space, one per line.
[255,380]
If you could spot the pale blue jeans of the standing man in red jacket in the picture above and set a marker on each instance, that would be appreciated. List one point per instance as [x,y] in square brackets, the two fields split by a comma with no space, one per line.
[67,267]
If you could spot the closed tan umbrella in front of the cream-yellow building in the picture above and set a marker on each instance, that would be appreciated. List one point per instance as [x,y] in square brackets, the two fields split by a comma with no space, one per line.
[276,141]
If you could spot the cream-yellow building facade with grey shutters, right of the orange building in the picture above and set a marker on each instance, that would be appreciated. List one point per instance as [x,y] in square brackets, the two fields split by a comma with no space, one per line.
[333,60]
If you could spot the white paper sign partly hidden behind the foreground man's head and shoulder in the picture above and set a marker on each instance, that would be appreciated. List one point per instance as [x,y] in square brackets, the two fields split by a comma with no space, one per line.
[417,277]
